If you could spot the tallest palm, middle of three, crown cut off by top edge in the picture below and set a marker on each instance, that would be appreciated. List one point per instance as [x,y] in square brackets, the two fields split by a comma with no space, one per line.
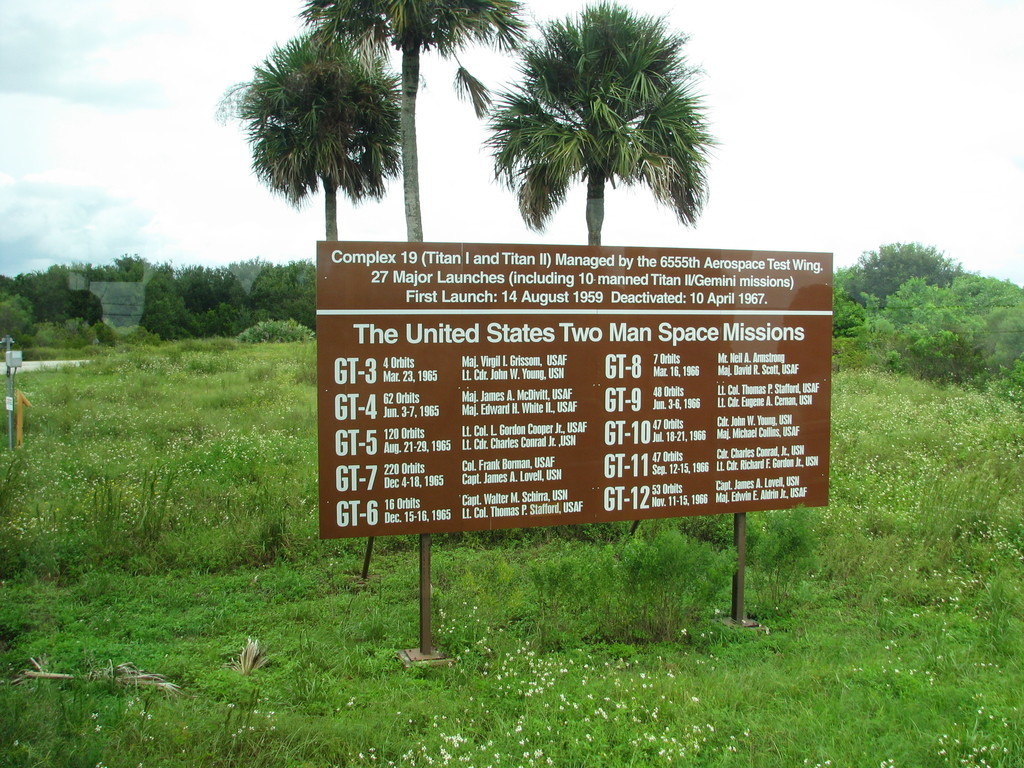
[413,27]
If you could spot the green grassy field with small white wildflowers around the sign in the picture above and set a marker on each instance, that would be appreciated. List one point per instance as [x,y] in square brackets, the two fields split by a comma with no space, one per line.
[163,513]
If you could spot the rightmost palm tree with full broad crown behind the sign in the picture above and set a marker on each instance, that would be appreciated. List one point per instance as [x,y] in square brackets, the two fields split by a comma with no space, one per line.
[609,98]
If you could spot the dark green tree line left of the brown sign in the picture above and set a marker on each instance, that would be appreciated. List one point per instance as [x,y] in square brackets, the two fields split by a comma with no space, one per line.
[74,307]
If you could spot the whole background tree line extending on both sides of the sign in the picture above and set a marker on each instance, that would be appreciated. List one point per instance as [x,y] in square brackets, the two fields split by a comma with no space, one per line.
[906,308]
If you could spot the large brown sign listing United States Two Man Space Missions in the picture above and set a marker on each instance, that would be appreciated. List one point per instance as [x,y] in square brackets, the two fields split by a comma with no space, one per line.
[468,387]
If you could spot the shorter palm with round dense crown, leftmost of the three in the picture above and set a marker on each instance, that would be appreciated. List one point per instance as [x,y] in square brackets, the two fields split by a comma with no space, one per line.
[318,115]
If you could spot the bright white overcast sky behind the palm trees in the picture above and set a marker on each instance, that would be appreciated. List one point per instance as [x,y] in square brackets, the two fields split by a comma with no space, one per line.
[841,126]
